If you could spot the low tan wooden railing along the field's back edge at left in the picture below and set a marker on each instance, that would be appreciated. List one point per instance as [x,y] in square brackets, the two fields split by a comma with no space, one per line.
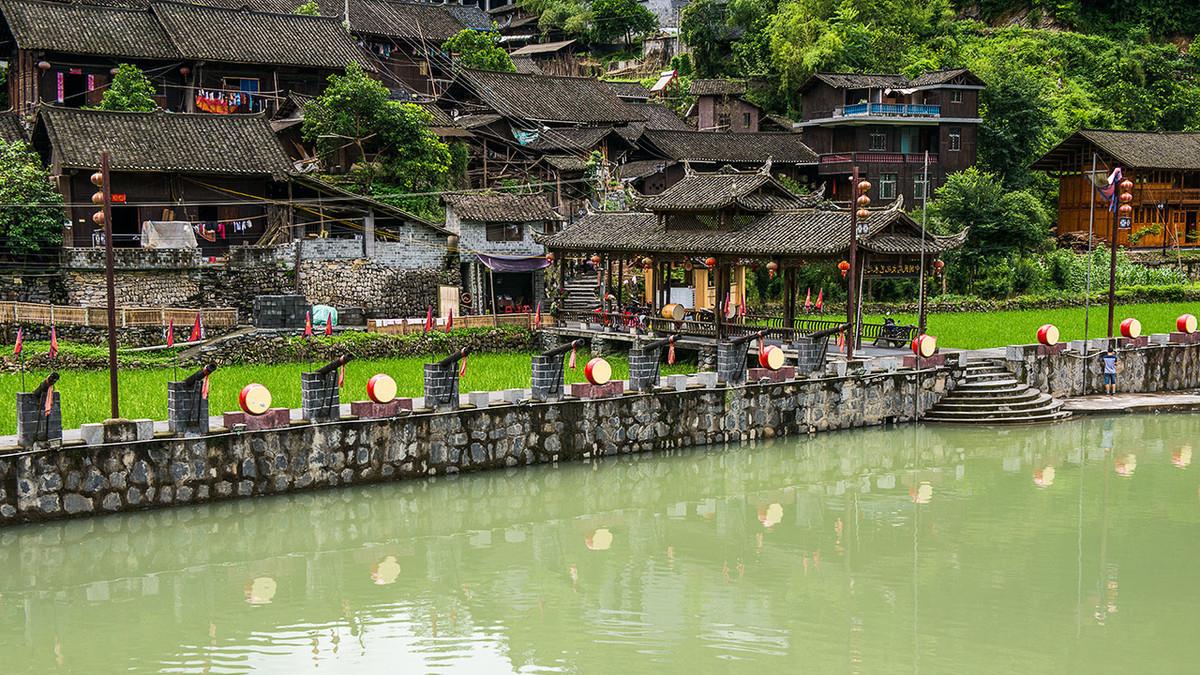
[98,318]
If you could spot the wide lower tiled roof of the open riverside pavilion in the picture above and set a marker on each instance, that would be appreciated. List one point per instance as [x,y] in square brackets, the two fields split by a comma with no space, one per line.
[800,232]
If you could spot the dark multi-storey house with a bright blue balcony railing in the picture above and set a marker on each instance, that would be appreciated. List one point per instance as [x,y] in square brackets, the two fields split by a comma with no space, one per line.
[885,124]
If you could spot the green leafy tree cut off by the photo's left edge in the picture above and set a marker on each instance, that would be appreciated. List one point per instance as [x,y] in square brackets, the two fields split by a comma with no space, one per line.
[32,222]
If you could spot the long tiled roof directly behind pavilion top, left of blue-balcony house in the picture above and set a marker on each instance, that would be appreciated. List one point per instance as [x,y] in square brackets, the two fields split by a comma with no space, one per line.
[706,147]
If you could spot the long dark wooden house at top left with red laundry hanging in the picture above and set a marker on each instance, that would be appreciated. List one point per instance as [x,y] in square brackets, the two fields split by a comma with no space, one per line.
[200,58]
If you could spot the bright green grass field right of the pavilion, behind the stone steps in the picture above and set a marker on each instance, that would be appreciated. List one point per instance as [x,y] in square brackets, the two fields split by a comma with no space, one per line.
[971,331]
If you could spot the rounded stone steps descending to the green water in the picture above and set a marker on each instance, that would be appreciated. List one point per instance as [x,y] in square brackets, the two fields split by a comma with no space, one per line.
[991,395]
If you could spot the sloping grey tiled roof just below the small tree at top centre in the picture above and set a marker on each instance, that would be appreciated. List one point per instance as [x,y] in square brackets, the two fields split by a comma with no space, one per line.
[549,99]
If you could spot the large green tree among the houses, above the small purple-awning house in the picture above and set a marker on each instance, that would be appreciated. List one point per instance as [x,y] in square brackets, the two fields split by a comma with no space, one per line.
[398,158]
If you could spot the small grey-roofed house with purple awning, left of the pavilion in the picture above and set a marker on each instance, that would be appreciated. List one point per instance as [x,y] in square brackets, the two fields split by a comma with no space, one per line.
[501,261]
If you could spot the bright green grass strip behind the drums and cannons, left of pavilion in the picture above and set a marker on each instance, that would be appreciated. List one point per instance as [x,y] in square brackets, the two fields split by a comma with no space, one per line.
[145,392]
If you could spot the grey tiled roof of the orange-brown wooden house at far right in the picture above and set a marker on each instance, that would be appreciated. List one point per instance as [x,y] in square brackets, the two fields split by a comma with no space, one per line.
[1175,151]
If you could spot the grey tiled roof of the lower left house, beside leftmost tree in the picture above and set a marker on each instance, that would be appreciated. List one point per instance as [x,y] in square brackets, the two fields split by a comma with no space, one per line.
[164,142]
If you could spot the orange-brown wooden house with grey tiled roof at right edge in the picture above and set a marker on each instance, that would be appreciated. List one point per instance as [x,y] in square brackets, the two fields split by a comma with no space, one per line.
[1163,168]
